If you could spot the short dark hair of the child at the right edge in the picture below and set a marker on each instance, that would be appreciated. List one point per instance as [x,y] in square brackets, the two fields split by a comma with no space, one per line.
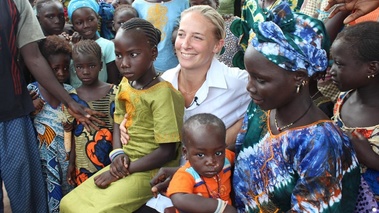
[364,40]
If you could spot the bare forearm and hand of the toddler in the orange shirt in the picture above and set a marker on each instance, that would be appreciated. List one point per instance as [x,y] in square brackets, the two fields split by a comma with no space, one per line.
[196,203]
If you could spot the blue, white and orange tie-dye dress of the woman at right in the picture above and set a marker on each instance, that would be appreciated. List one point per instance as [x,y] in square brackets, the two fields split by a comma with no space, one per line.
[310,168]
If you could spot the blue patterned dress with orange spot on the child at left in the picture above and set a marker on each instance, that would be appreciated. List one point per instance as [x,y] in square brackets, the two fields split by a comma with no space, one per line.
[54,158]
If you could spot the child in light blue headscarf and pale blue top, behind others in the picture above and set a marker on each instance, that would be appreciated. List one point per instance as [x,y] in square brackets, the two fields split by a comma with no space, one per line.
[84,18]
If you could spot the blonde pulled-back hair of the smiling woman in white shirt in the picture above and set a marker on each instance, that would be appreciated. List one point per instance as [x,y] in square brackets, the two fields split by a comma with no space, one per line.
[212,15]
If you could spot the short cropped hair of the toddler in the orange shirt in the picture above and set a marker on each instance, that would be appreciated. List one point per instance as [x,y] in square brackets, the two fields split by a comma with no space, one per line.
[201,120]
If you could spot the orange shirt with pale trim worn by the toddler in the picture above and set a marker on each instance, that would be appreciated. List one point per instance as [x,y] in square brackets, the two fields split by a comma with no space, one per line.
[187,180]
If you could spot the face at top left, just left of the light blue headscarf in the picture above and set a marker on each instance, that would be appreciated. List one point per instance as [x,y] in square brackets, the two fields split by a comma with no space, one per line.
[51,18]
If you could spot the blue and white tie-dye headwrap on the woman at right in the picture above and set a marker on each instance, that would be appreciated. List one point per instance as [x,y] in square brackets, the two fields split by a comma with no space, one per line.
[293,41]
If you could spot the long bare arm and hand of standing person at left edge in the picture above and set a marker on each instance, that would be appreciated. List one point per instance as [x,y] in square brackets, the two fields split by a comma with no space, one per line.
[41,70]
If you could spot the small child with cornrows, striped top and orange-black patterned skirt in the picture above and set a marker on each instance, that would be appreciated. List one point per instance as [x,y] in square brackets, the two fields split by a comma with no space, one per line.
[90,150]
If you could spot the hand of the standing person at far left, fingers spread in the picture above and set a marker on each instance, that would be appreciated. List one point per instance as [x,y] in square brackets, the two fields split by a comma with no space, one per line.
[85,116]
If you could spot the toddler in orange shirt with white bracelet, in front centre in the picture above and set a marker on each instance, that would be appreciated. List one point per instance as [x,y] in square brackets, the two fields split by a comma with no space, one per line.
[203,184]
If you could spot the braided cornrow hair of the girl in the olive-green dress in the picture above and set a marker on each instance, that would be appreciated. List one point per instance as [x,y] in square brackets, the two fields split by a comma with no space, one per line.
[153,34]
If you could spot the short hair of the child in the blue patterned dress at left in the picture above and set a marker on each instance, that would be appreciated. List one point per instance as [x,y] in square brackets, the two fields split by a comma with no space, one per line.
[53,45]
